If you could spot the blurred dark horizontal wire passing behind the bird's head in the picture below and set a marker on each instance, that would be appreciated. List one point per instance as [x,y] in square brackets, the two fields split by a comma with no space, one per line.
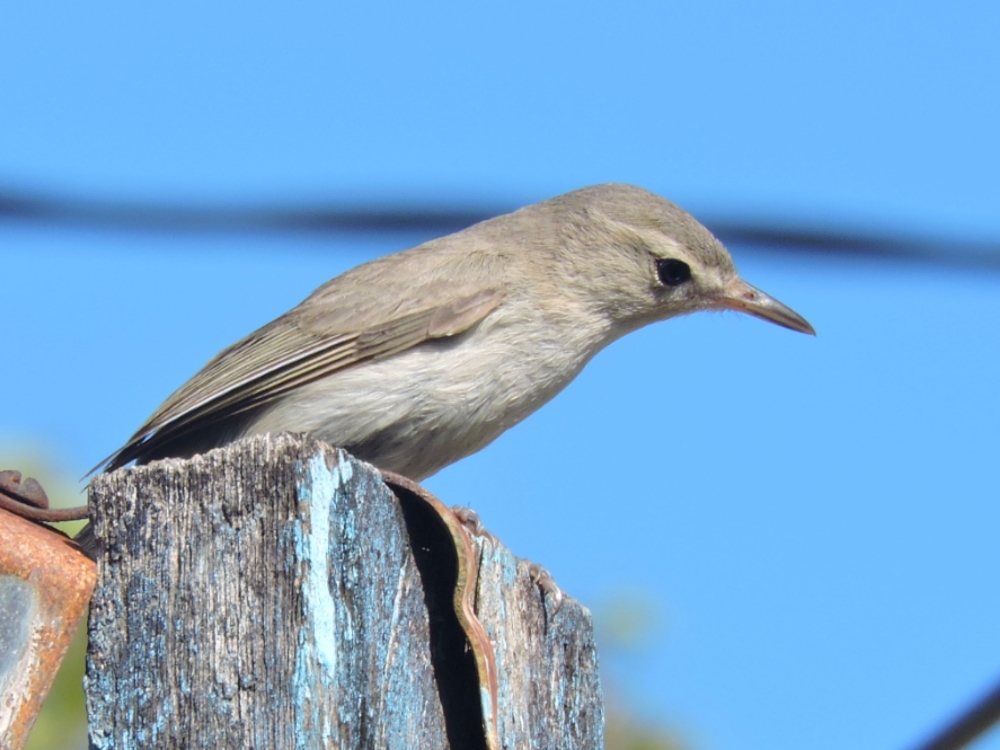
[385,216]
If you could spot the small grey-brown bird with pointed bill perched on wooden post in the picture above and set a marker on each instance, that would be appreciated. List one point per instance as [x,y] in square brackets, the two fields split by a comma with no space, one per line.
[418,359]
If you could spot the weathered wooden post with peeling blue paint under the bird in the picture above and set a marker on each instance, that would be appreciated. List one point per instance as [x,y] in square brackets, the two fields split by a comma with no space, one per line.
[276,594]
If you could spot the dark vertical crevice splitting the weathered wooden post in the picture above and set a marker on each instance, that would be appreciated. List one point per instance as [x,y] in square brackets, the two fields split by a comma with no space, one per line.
[454,664]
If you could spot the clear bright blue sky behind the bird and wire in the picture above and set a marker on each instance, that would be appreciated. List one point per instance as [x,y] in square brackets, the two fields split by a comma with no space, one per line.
[815,519]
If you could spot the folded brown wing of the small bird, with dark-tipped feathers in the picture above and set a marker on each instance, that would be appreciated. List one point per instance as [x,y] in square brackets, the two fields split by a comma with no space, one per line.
[293,350]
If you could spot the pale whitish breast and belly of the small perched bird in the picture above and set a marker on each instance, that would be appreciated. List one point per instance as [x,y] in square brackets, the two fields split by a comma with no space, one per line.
[420,410]
